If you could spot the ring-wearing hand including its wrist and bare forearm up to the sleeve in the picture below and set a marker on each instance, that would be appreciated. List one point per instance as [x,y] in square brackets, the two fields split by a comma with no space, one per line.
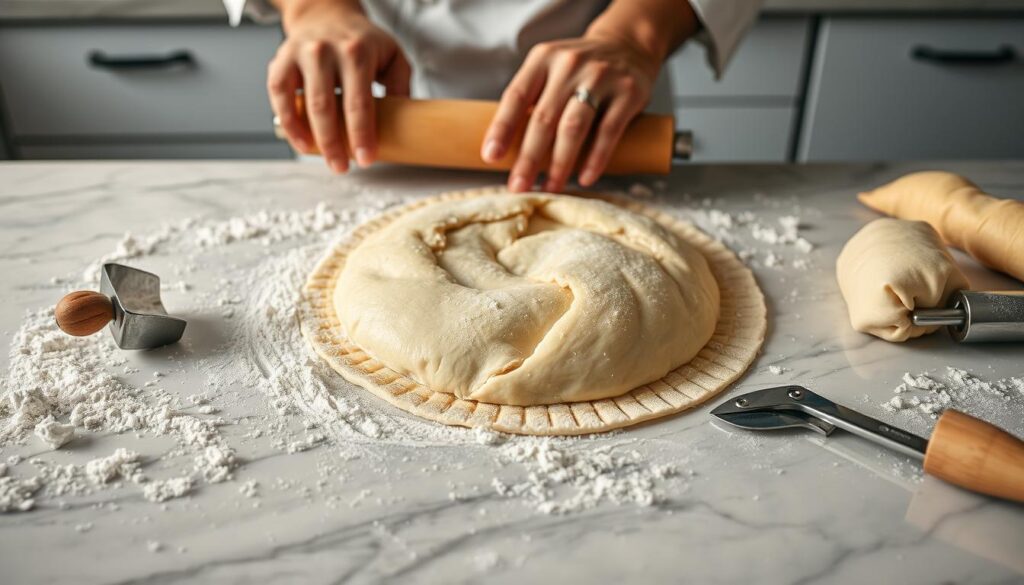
[591,88]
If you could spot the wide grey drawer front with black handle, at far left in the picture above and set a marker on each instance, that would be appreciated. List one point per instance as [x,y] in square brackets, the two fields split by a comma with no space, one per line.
[53,90]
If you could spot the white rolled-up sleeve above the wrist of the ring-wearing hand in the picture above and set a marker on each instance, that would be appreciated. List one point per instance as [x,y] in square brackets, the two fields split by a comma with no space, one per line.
[726,23]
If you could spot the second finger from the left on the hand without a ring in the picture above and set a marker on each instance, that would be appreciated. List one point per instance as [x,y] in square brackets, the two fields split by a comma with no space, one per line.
[320,76]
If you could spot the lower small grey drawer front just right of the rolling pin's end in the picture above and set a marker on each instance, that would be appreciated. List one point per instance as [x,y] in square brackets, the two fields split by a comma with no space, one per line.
[739,135]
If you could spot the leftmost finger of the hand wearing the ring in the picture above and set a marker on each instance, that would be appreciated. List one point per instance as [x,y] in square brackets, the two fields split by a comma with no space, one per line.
[521,94]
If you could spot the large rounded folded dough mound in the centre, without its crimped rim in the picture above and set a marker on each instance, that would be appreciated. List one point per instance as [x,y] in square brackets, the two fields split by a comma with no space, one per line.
[528,300]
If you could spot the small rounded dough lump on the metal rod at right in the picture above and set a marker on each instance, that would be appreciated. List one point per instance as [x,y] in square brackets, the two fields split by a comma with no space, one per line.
[889,269]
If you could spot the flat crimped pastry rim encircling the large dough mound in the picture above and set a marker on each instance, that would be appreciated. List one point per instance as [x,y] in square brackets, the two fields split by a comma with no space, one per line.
[738,337]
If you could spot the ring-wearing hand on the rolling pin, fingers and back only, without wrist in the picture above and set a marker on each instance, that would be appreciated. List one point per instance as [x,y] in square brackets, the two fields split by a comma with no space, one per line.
[619,77]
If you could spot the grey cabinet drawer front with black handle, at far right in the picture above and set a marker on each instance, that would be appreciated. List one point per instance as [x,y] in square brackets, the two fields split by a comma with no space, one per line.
[921,89]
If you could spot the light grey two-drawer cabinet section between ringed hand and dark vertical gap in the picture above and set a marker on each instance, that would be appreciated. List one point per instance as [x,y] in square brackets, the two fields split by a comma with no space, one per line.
[749,115]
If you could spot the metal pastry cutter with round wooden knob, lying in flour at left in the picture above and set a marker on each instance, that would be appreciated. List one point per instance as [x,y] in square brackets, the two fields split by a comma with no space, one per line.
[130,302]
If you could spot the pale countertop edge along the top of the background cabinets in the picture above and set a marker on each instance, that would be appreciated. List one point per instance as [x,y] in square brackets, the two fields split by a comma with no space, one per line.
[214,10]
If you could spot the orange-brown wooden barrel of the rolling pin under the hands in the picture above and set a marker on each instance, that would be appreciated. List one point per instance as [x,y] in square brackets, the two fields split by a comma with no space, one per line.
[449,134]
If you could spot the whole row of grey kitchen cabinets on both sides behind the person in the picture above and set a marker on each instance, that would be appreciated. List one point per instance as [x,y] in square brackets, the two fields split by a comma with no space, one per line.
[803,87]
